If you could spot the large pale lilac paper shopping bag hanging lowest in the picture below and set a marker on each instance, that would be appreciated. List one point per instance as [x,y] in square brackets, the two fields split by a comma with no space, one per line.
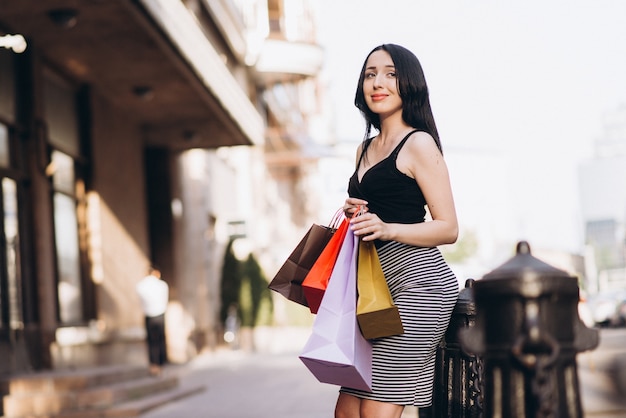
[336,352]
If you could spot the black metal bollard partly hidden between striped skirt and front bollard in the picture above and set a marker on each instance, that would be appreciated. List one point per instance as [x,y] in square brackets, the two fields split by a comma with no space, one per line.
[457,391]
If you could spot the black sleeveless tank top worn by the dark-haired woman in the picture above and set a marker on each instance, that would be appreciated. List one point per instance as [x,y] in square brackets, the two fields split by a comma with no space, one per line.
[391,194]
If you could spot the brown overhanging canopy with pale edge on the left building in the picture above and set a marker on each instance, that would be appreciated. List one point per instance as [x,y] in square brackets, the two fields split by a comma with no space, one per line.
[147,57]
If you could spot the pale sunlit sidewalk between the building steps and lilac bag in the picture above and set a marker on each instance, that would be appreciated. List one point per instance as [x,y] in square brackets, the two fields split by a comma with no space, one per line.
[269,383]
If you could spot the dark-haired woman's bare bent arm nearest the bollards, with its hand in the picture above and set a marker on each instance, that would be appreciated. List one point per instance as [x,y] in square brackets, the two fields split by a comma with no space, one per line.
[421,160]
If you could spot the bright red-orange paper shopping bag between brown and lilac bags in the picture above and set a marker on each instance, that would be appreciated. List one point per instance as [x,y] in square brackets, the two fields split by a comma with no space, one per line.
[316,280]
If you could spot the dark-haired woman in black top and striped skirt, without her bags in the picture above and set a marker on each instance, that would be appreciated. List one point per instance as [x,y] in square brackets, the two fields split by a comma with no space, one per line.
[399,172]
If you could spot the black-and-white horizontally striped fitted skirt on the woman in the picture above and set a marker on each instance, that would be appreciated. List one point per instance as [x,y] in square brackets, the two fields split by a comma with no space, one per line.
[425,291]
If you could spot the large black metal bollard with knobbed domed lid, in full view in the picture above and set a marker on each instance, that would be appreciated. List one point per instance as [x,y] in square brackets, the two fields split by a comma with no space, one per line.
[528,332]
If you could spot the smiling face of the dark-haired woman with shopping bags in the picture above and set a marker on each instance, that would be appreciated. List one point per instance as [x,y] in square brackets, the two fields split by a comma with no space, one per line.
[380,85]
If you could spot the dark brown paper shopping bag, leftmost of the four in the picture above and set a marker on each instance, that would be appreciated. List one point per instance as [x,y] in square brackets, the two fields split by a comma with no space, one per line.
[288,279]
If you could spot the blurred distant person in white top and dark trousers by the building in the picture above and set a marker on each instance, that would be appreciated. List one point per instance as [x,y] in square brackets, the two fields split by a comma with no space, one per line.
[154,295]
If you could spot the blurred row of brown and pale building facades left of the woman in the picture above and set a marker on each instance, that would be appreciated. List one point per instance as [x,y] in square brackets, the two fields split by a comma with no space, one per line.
[135,133]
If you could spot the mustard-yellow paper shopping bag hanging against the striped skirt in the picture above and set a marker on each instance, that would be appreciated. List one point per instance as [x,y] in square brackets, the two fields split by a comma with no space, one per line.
[376,313]
